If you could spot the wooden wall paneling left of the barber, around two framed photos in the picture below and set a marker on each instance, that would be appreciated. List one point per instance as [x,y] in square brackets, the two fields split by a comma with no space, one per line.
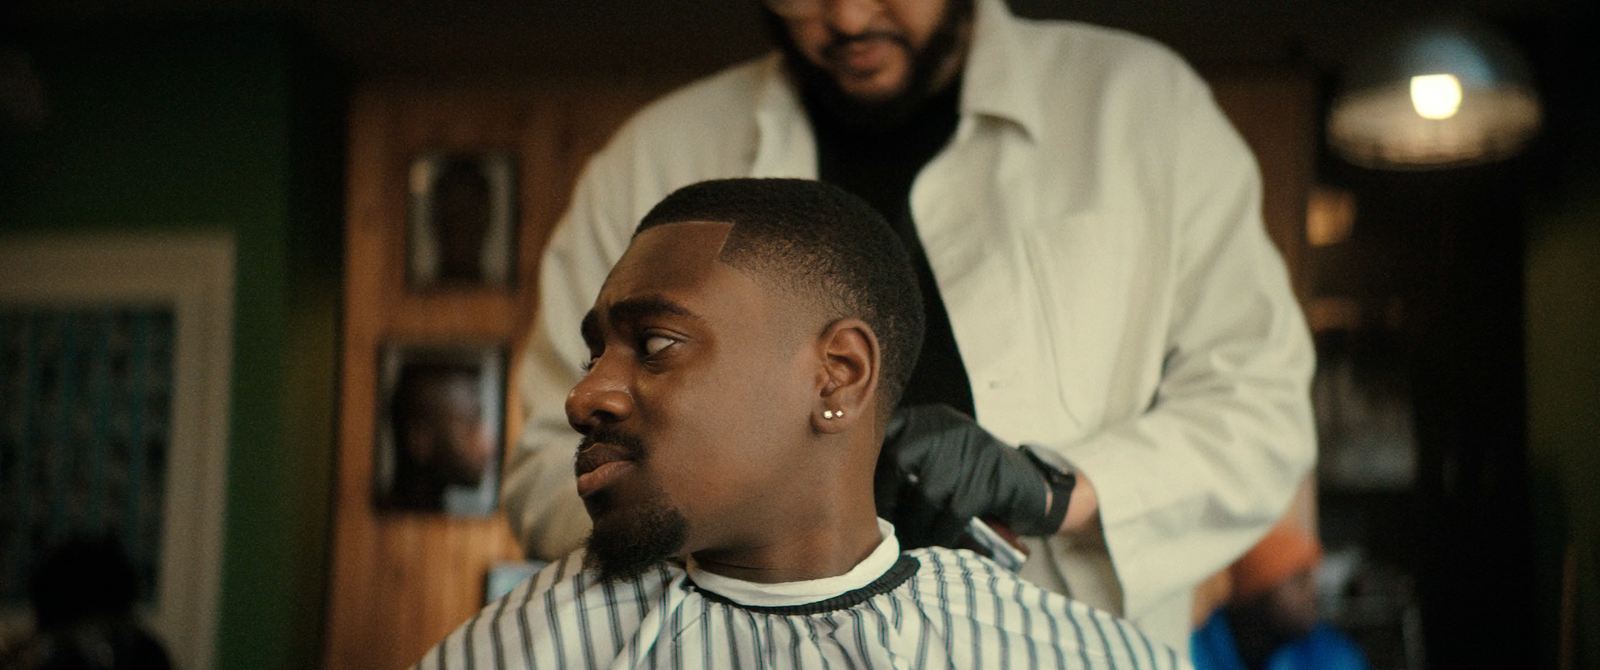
[401,583]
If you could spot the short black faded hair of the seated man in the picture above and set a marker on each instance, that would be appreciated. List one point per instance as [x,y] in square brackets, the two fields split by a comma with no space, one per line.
[818,244]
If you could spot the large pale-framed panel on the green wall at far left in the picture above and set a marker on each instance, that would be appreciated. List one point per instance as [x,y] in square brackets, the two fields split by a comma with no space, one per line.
[166,301]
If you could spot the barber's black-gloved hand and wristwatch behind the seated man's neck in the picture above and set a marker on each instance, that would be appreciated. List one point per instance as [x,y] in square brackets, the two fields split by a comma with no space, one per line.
[940,471]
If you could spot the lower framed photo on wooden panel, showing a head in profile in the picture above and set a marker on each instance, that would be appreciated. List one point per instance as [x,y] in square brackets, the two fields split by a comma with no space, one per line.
[439,429]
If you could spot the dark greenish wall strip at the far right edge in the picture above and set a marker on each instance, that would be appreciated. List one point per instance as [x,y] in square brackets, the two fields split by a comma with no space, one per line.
[1562,289]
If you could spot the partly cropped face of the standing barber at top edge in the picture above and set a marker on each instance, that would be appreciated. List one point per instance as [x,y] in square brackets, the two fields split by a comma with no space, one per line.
[868,47]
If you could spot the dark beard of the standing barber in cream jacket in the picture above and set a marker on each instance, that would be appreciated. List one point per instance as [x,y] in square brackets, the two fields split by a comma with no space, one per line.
[822,90]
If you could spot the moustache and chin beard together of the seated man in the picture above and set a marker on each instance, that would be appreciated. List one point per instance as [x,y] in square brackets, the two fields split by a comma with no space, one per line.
[638,536]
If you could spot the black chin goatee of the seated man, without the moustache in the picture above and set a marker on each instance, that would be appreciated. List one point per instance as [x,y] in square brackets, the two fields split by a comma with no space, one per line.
[638,538]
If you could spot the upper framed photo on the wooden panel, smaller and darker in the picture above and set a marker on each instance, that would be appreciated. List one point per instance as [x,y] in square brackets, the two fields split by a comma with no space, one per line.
[463,221]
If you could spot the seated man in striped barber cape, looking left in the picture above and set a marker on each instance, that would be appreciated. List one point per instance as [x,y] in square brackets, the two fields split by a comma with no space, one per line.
[745,356]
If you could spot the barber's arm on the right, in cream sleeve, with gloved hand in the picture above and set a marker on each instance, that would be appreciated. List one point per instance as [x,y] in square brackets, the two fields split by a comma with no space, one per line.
[1228,436]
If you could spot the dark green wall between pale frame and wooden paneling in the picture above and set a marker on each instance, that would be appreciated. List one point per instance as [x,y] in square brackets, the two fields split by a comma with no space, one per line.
[190,126]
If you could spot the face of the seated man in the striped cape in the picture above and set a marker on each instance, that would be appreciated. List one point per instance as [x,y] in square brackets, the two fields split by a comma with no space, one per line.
[695,407]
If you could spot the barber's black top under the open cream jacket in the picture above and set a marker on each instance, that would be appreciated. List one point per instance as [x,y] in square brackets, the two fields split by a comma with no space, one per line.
[881,166]
